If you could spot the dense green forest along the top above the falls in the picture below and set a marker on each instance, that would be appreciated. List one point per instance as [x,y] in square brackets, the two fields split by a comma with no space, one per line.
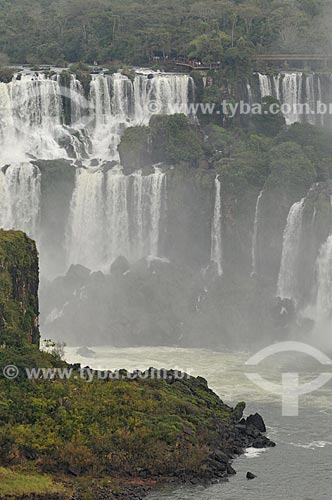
[134,31]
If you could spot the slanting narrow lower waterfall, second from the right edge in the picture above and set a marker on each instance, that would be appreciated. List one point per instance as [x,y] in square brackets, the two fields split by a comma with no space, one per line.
[287,281]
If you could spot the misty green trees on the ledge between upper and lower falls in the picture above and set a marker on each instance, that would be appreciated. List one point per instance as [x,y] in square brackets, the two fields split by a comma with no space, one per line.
[264,151]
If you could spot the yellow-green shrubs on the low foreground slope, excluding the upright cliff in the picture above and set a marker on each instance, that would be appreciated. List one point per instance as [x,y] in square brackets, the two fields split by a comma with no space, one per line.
[120,426]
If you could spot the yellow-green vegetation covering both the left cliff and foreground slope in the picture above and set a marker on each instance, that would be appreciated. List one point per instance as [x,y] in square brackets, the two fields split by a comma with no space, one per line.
[108,426]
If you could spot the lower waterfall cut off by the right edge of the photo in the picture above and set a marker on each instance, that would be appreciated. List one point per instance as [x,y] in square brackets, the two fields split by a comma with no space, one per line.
[324,275]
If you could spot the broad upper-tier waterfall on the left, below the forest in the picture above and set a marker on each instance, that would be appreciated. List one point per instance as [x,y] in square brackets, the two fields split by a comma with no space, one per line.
[35,109]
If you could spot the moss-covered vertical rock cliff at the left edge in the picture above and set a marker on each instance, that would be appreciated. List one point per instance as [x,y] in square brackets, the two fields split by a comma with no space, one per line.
[19,280]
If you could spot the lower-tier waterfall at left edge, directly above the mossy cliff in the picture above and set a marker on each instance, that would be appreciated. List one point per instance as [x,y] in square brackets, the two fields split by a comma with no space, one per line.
[20,198]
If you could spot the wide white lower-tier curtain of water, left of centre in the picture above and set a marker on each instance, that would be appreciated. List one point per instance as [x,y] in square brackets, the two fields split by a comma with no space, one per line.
[114,215]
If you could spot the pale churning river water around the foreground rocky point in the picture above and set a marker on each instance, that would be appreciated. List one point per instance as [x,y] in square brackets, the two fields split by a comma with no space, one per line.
[299,468]
